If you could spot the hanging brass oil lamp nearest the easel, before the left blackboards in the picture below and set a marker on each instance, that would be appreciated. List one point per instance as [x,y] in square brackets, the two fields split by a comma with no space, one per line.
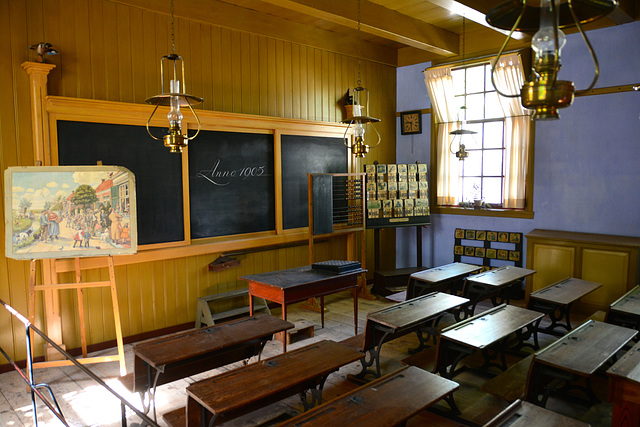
[175,140]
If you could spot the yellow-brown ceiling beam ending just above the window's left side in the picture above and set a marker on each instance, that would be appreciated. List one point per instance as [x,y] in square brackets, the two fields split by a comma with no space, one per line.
[379,21]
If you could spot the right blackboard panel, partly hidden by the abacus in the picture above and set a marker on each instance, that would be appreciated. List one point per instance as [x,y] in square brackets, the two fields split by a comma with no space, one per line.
[302,155]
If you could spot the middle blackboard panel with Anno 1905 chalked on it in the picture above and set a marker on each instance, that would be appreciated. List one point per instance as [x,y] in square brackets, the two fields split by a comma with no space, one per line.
[231,184]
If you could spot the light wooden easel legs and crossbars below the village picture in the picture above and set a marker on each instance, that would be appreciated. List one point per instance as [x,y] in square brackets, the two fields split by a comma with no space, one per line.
[79,286]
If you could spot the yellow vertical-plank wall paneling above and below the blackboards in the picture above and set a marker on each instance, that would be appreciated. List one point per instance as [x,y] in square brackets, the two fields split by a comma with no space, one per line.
[112,51]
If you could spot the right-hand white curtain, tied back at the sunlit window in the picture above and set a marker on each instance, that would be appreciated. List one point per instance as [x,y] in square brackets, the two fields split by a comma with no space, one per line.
[508,78]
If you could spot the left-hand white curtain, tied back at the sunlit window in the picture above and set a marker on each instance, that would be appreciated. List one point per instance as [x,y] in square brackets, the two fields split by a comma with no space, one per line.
[440,87]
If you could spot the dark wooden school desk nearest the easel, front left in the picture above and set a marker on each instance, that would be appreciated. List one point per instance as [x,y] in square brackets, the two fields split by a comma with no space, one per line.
[166,359]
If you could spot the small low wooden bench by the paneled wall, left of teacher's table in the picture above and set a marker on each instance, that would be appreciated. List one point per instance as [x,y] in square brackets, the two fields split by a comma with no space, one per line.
[206,315]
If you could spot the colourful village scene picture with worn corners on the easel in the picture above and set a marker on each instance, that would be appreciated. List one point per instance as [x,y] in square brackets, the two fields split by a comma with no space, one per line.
[69,211]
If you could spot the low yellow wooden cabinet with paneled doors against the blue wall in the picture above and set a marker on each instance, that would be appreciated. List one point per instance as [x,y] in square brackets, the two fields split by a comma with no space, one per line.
[607,259]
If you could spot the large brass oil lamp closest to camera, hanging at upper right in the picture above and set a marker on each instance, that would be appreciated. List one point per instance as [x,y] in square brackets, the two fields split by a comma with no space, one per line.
[544,93]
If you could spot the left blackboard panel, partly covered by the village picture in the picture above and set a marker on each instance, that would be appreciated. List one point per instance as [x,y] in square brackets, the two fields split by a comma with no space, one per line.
[158,172]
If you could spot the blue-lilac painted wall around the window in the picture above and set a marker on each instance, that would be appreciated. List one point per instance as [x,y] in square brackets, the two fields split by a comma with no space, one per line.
[587,164]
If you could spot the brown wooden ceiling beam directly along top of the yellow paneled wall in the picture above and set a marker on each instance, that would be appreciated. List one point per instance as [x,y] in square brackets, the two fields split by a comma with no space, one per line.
[227,15]
